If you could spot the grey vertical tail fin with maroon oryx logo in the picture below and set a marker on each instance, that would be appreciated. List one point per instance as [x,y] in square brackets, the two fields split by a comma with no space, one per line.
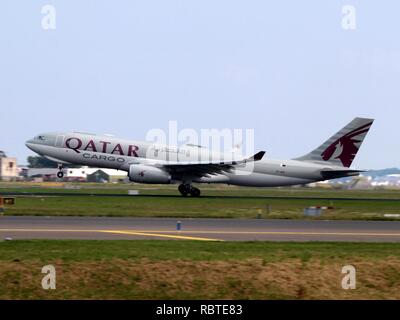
[342,147]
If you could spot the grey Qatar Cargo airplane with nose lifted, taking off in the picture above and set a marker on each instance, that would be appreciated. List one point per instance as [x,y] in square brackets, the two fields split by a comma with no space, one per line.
[147,162]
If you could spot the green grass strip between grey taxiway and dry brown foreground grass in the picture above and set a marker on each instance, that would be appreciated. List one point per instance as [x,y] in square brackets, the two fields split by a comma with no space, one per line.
[95,250]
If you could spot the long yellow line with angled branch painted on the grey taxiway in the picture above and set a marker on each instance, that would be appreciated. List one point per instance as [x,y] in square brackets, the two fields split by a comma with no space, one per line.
[181,234]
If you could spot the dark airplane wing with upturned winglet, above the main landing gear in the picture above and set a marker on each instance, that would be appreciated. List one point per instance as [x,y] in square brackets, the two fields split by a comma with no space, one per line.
[203,168]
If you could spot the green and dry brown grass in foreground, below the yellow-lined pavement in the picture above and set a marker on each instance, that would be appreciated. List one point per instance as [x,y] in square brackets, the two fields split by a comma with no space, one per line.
[198,270]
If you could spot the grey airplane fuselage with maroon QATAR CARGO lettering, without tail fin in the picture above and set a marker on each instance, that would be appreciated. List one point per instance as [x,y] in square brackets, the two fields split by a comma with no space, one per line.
[110,152]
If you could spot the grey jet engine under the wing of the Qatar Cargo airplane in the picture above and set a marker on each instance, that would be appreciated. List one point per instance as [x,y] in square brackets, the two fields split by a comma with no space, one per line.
[148,174]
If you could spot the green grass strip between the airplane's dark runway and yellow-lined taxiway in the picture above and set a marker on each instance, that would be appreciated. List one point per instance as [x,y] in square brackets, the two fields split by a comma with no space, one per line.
[217,207]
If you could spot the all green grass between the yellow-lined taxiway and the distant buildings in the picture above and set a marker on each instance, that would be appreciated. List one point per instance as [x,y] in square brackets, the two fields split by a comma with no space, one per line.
[218,201]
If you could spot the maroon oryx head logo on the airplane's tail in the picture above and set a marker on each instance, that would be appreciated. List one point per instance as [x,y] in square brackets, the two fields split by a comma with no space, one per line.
[345,148]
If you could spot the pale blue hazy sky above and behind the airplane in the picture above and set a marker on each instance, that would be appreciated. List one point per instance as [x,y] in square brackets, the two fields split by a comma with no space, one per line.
[287,69]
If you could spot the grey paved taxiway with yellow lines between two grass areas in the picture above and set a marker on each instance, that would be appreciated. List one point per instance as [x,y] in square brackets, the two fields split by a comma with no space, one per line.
[104,228]
